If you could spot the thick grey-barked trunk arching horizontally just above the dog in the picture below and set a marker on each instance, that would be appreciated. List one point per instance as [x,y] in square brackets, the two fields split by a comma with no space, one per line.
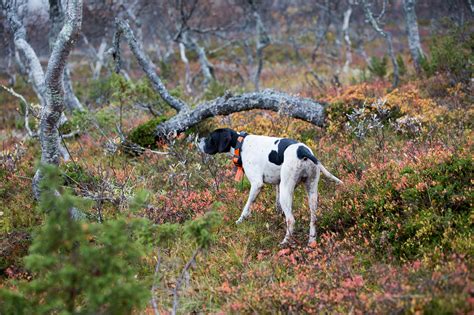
[288,105]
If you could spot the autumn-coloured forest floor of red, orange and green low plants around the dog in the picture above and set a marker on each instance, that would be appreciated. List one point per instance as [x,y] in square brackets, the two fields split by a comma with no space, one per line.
[395,238]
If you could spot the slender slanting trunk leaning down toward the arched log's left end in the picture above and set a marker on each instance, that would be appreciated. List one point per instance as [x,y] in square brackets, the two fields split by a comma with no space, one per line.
[123,29]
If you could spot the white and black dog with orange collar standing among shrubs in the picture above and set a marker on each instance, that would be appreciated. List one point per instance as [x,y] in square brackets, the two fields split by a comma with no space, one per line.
[278,161]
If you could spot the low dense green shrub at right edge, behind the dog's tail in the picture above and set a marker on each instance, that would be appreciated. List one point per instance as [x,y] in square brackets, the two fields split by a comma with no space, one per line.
[428,214]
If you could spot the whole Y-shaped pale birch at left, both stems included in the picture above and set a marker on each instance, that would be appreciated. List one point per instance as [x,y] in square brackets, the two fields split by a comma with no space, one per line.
[49,86]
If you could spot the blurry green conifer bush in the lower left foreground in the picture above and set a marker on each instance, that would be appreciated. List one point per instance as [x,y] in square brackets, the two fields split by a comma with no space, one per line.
[79,267]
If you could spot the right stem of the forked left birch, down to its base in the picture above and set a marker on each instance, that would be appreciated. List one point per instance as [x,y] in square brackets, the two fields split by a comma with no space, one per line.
[51,113]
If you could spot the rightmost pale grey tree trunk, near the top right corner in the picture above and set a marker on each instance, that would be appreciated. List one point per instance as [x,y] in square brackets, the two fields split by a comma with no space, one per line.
[413,34]
